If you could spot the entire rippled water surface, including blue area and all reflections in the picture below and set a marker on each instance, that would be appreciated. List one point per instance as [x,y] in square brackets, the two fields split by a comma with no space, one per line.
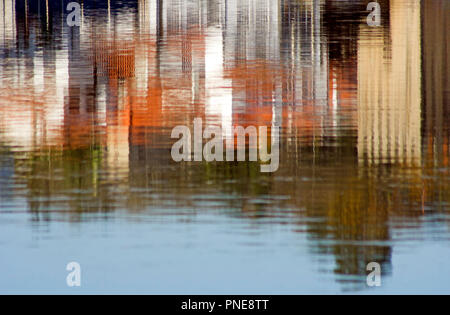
[86,173]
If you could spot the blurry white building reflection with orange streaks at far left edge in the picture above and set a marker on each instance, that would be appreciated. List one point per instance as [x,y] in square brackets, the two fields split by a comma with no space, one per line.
[34,89]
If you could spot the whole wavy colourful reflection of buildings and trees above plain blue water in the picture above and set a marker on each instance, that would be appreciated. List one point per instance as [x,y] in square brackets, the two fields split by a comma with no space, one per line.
[87,113]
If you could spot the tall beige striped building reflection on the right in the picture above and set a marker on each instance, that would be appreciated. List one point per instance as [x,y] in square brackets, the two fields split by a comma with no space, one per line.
[389,88]
